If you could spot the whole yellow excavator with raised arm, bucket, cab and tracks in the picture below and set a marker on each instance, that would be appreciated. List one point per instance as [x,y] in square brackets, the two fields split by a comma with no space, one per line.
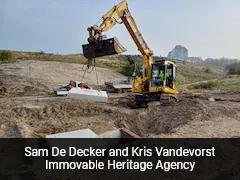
[157,78]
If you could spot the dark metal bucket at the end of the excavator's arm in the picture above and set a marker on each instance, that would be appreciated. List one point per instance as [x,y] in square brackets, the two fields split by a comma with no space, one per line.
[102,48]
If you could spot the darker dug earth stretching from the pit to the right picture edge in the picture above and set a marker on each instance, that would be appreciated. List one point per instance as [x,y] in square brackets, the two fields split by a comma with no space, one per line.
[165,119]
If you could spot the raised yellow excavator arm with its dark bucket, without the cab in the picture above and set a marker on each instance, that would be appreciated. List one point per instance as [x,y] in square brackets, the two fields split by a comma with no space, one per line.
[99,45]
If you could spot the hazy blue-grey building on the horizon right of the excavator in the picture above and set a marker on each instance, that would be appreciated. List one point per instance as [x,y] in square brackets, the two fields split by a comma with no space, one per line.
[179,53]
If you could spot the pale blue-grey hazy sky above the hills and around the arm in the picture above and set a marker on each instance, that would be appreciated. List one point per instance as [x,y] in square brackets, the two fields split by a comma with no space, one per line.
[207,28]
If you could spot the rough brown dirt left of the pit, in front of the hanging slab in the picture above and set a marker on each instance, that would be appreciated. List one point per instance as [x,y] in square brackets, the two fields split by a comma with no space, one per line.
[43,117]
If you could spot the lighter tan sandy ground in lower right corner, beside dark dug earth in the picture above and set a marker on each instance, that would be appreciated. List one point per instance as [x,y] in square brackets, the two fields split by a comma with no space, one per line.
[219,119]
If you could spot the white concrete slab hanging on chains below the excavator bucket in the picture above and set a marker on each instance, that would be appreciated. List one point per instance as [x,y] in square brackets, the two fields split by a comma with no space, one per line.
[88,94]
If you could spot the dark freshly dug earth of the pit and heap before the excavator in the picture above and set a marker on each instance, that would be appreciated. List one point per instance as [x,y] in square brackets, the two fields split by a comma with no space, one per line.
[164,119]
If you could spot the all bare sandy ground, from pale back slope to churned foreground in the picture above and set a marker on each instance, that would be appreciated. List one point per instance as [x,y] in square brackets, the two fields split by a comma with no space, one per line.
[29,108]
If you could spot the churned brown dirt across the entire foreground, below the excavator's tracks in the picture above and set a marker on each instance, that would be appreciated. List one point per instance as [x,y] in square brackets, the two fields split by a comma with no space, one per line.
[190,117]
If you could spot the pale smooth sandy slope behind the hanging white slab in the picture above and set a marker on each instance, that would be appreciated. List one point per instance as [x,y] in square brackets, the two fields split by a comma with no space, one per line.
[55,73]
